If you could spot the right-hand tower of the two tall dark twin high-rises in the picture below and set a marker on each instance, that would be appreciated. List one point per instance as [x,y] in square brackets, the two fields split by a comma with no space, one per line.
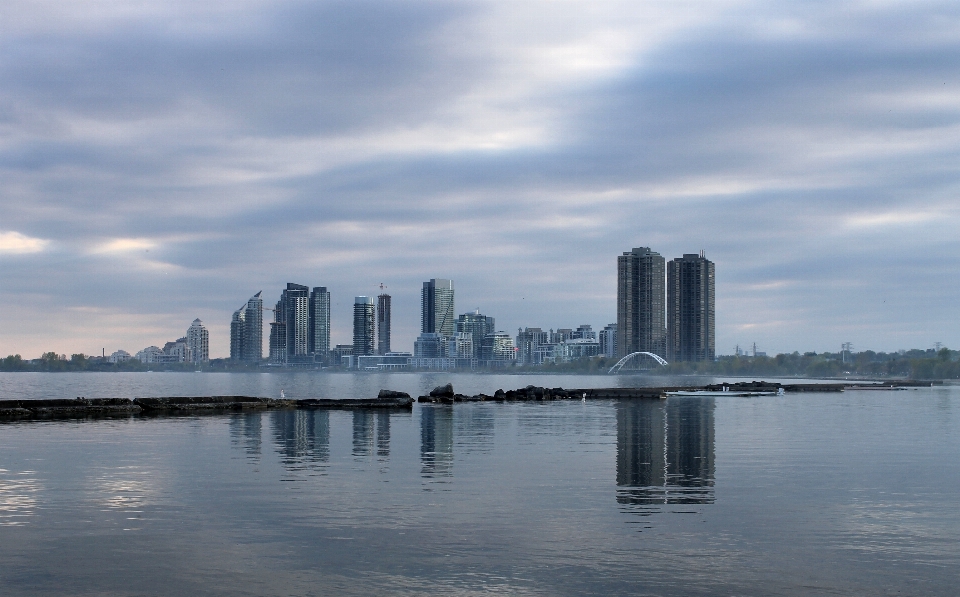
[691,326]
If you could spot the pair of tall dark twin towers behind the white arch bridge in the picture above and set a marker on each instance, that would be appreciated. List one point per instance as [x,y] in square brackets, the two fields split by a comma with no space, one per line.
[666,308]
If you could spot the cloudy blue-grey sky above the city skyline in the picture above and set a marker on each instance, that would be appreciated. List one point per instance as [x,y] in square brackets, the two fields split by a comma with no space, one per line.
[162,161]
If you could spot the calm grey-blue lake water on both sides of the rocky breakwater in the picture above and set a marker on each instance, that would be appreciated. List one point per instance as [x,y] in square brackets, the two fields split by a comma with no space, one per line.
[812,494]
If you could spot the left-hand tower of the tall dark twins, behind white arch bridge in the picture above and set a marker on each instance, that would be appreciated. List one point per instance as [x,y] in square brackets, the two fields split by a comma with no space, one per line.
[640,302]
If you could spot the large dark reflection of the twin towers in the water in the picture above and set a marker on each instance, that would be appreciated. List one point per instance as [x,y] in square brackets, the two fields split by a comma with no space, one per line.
[665,451]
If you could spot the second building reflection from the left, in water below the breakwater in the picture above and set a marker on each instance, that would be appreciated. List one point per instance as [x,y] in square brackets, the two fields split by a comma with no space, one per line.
[302,436]
